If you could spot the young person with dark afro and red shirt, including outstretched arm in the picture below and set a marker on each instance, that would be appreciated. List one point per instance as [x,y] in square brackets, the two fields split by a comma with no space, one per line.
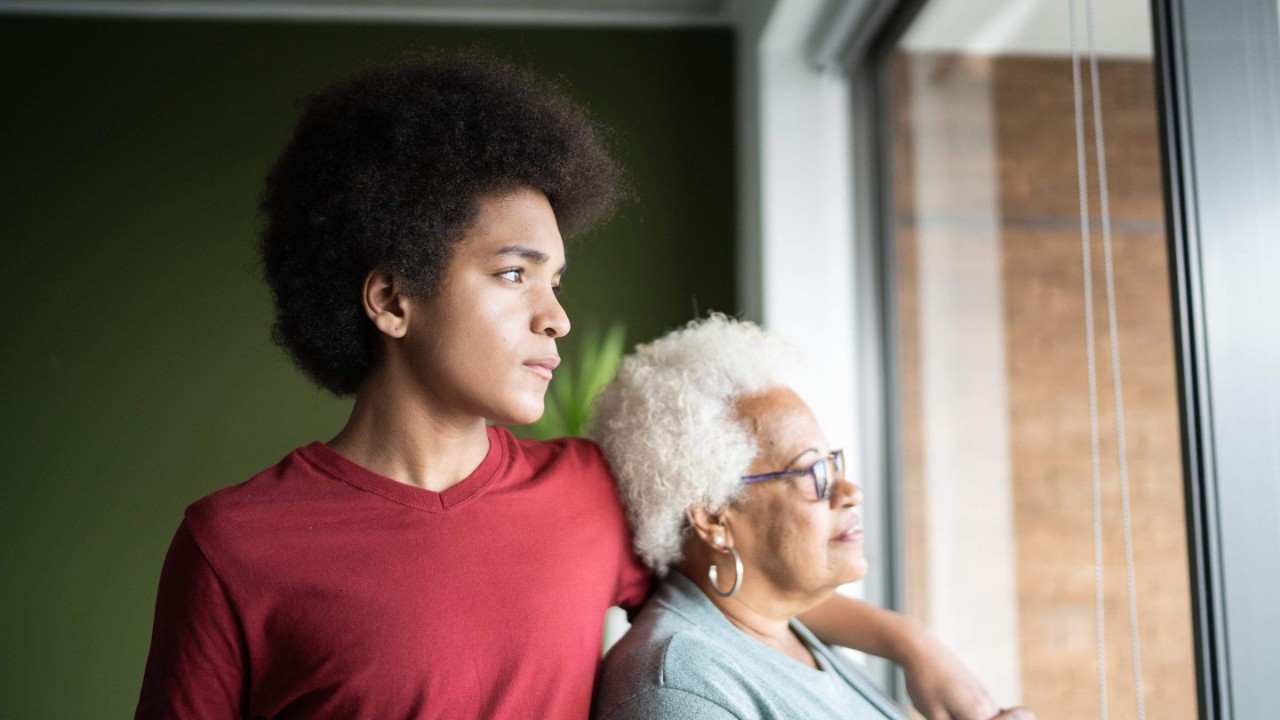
[424,564]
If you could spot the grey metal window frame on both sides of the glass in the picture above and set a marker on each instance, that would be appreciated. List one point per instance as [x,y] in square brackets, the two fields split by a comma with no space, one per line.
[1232,507]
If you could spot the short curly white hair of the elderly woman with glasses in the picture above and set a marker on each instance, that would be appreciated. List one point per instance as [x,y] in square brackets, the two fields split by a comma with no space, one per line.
[670,430]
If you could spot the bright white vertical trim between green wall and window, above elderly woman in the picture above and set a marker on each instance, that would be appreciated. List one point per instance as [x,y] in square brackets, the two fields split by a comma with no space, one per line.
[806,209]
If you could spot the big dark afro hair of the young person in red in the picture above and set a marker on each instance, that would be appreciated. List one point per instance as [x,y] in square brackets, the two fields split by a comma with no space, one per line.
[385,174]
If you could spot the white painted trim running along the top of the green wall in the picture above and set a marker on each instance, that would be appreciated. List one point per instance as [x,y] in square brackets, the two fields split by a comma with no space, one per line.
[312,12]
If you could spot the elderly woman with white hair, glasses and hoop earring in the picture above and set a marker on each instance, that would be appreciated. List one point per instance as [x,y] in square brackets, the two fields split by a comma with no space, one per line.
[744,511]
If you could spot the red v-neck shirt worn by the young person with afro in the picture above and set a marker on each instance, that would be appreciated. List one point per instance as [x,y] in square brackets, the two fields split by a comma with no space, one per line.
[322,590]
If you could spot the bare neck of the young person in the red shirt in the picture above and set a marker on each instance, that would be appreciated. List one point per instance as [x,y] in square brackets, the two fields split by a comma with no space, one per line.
[397,434]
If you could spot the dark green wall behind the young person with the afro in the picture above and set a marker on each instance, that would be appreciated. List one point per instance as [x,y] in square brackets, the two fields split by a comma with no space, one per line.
[138,371]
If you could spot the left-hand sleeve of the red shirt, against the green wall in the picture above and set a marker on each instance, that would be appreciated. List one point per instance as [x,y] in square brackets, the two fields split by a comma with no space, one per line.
[198,662]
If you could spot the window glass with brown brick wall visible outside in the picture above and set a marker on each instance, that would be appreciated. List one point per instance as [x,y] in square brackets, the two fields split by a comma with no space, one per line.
[991,350]
